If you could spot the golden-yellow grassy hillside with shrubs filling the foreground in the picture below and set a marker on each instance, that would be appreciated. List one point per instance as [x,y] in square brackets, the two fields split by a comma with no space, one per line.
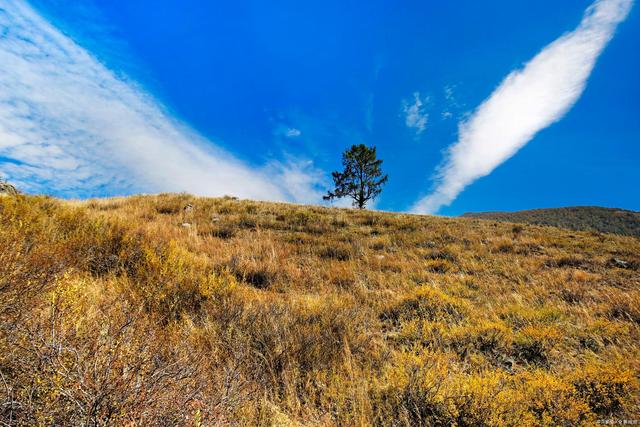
[176,310]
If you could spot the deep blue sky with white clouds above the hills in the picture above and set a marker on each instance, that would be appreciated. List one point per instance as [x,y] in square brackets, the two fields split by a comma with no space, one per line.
[259,99]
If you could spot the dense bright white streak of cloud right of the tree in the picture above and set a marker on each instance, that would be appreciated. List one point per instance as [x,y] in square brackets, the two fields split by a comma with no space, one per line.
[527,101]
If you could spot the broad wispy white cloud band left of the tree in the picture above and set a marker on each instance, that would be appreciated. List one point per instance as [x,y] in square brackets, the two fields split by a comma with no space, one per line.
[69,125]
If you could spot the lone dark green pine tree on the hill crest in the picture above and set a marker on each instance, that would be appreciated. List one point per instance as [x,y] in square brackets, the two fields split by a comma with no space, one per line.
[362,177]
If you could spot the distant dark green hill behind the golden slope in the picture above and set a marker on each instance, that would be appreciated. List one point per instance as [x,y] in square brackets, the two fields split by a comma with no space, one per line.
[604,220]
